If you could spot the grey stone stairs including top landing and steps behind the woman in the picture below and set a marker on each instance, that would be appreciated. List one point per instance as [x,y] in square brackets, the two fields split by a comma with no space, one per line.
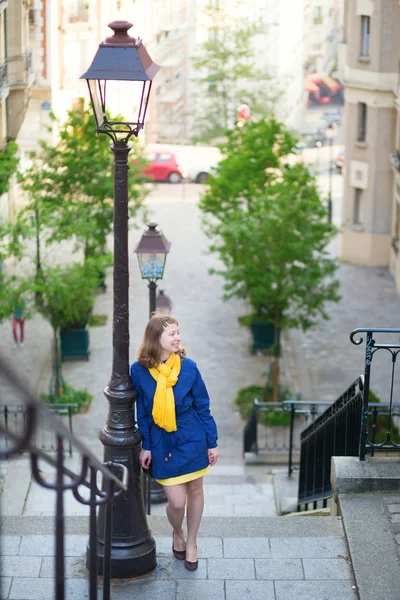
[245,550]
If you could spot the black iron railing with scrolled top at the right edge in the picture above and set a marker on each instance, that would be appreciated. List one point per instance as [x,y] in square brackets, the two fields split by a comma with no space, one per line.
[390,345]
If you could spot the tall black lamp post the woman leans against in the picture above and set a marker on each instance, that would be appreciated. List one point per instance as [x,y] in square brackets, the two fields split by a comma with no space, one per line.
[122,58]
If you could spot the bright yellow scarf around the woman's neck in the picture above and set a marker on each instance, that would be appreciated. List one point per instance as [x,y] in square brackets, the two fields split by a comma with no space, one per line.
[166,375]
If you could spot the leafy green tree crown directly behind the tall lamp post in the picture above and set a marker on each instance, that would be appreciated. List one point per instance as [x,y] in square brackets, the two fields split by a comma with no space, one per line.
[72,184]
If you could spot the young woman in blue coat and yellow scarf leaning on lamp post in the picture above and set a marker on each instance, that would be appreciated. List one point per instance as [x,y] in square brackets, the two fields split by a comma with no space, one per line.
[179,433]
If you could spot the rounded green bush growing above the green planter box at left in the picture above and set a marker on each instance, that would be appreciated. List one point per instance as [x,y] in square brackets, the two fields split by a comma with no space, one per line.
[68,294]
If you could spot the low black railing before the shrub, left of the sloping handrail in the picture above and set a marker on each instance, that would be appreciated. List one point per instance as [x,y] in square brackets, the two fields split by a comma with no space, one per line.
[280,434]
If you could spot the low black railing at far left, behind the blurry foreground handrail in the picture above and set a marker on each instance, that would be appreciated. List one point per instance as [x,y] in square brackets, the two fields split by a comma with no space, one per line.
[13,418]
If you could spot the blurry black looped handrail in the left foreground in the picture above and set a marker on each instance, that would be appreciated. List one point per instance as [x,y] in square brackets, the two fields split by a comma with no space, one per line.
[114,475]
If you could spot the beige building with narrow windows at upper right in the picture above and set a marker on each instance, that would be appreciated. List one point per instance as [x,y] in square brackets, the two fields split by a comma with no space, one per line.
[369,66]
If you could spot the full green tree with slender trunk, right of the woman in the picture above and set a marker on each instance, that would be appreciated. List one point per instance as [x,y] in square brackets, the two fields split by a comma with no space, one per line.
[269,227]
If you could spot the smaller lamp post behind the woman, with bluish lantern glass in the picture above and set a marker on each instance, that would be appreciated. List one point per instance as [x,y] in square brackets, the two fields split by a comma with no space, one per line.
[152,250]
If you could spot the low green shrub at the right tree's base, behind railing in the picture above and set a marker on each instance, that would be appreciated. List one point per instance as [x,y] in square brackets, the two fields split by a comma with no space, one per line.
[245,401]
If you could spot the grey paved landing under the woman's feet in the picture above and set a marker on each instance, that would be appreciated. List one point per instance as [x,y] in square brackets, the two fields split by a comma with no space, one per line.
[231,567]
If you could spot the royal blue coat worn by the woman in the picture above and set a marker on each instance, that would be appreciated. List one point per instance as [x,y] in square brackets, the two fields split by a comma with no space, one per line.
[185,450]
